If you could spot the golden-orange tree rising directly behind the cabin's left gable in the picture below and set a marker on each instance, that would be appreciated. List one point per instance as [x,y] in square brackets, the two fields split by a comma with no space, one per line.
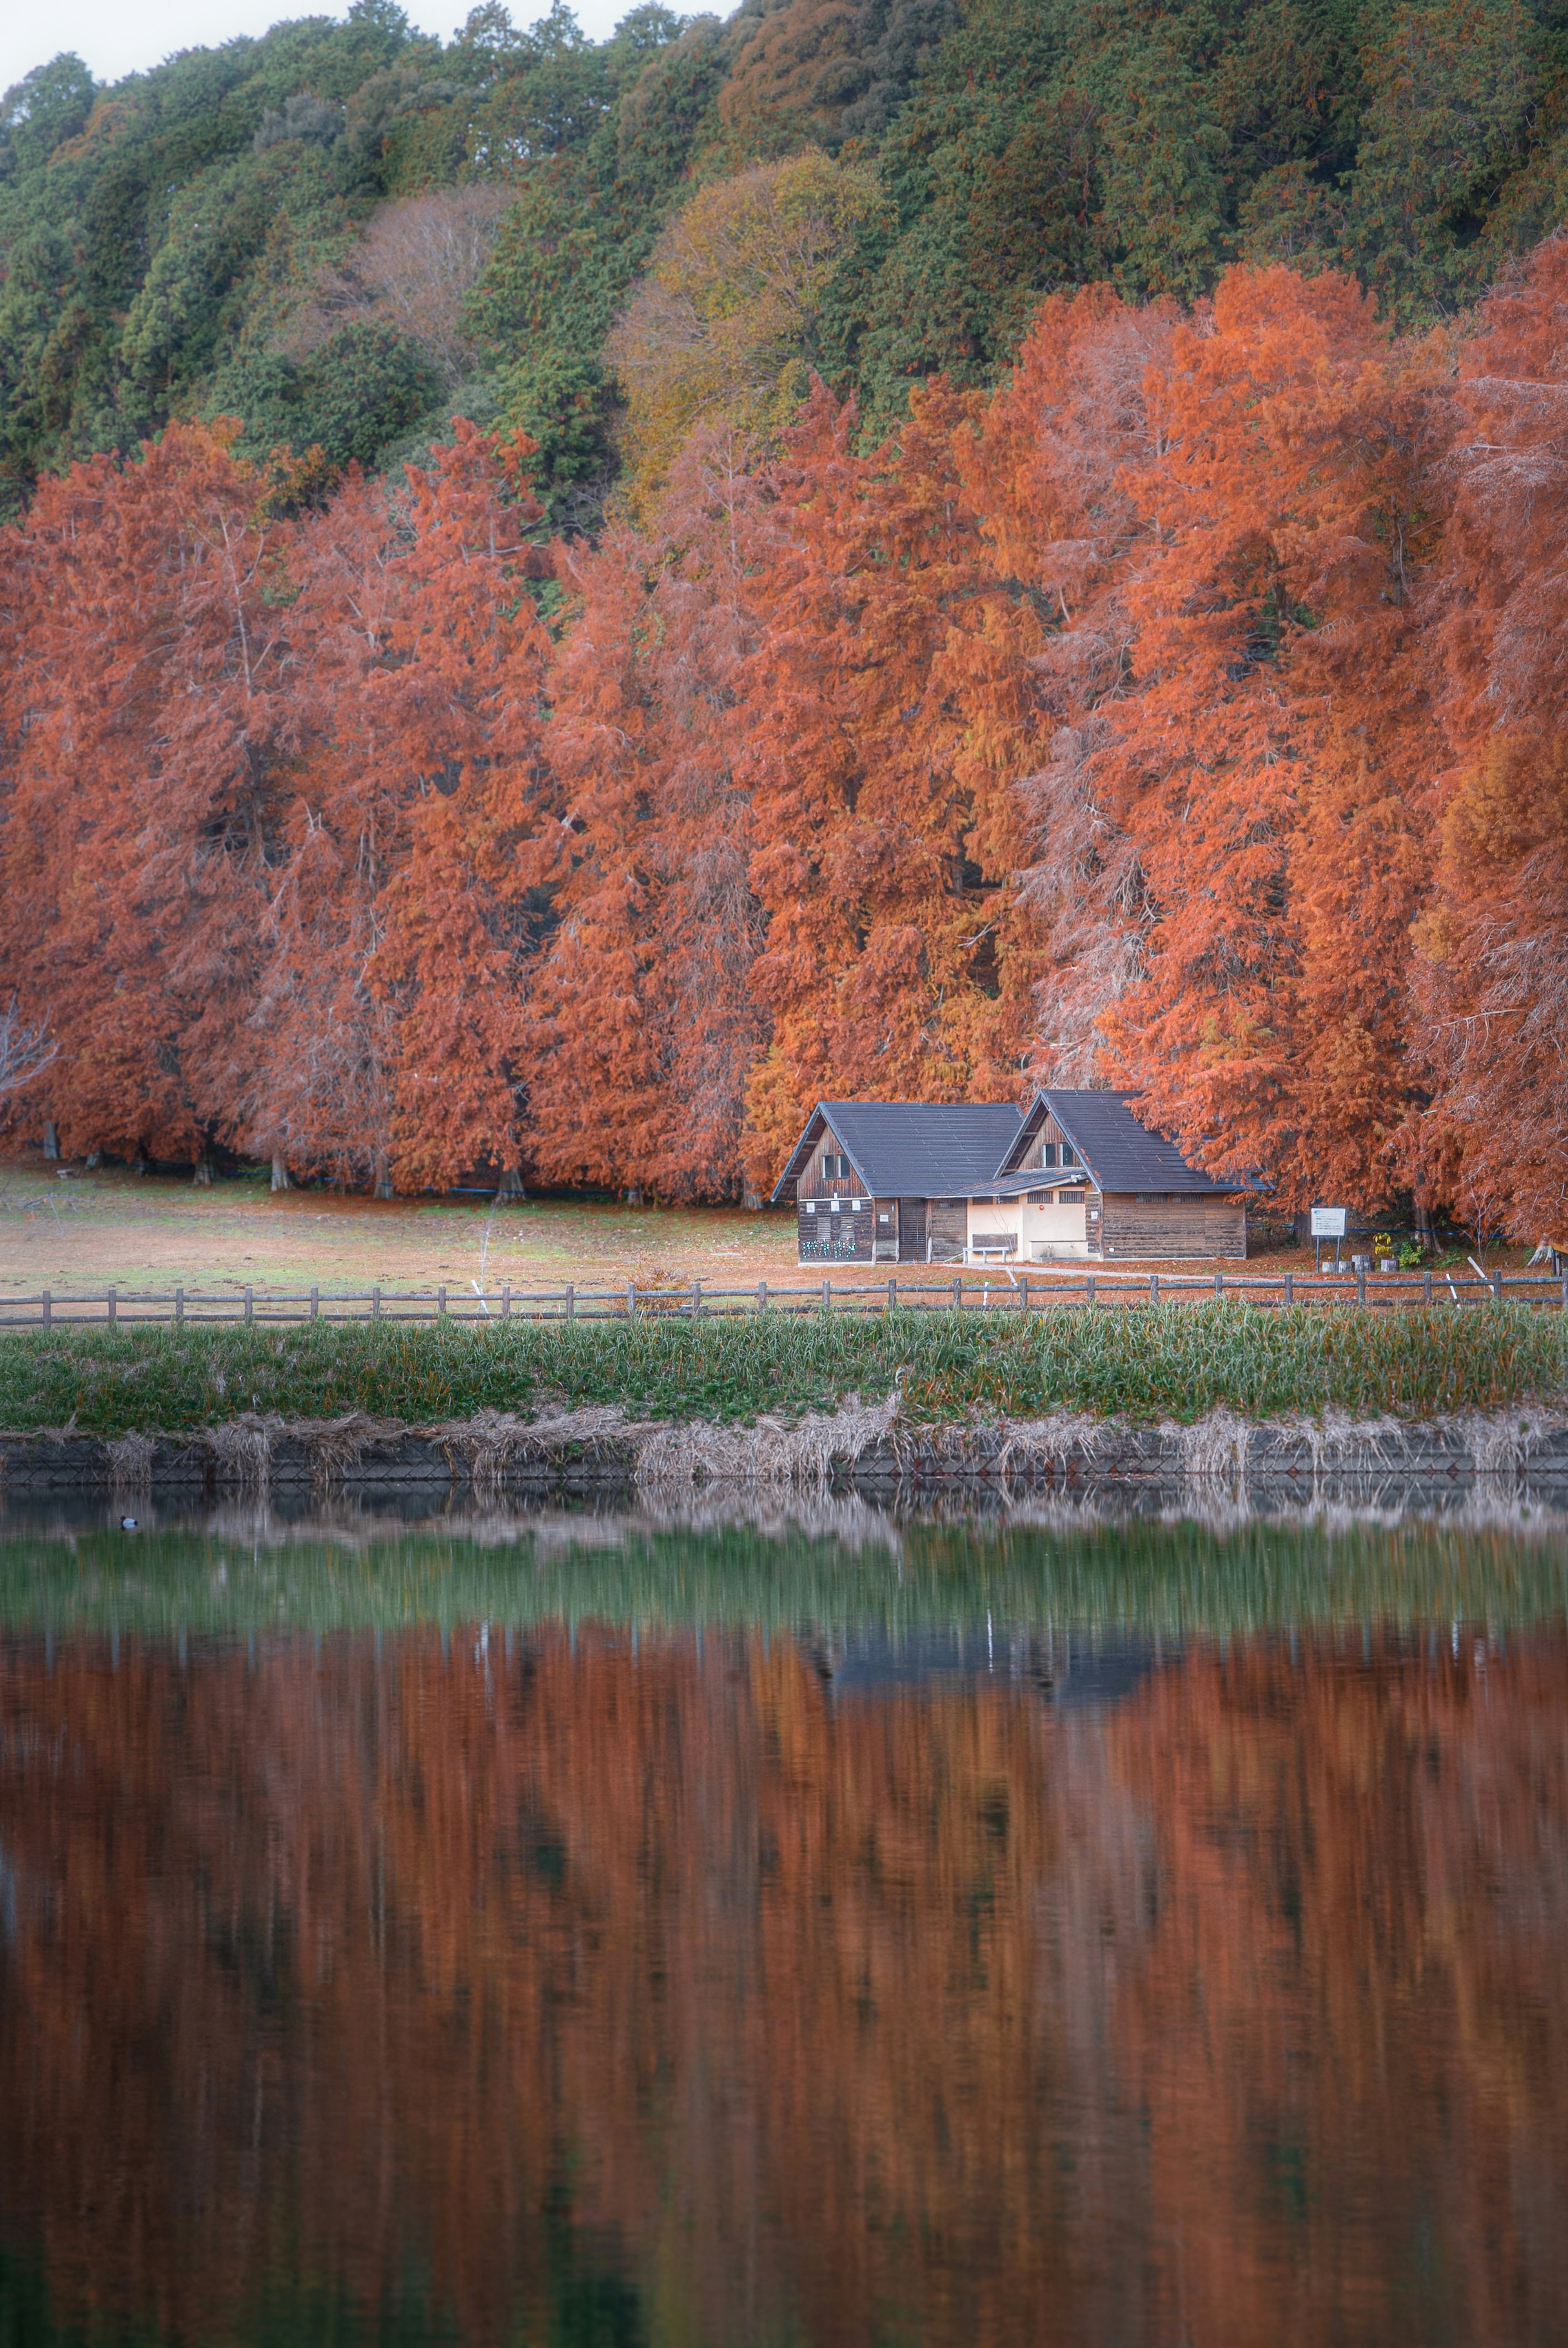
[884,971]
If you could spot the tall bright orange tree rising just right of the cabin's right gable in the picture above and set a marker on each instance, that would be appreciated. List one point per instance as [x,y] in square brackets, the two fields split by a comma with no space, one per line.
[1283,837]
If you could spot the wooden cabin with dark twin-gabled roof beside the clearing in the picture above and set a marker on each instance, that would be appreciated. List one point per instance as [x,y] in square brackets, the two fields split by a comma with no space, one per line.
[940,1182]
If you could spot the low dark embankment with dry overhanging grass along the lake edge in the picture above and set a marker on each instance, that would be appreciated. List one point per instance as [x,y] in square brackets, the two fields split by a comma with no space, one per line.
[863,1448]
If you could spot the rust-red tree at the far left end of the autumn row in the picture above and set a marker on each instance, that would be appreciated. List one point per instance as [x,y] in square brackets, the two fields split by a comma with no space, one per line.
[149,701]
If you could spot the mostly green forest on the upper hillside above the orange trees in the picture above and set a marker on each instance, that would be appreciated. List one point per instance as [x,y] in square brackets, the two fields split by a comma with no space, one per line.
[349,234]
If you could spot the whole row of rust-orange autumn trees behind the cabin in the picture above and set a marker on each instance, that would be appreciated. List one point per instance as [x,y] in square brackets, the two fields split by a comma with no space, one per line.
[1182,715]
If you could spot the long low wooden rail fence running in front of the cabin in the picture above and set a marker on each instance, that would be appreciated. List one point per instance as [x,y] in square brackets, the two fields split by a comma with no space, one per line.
[1027,1293]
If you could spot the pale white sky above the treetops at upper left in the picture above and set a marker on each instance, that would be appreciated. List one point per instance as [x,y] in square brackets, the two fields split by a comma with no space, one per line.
[128,36]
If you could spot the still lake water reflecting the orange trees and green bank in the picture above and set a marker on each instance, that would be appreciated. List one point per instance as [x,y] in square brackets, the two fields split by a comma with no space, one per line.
[588,1931]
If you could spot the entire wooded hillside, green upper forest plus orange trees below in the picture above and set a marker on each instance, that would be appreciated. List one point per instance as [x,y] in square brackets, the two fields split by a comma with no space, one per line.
[565,600]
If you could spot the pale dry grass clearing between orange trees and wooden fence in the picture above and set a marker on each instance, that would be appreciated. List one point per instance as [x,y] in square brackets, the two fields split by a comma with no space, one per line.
[156,1232]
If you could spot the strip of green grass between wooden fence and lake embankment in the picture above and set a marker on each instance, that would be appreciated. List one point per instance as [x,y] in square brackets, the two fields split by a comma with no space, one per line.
[1142,1363]
